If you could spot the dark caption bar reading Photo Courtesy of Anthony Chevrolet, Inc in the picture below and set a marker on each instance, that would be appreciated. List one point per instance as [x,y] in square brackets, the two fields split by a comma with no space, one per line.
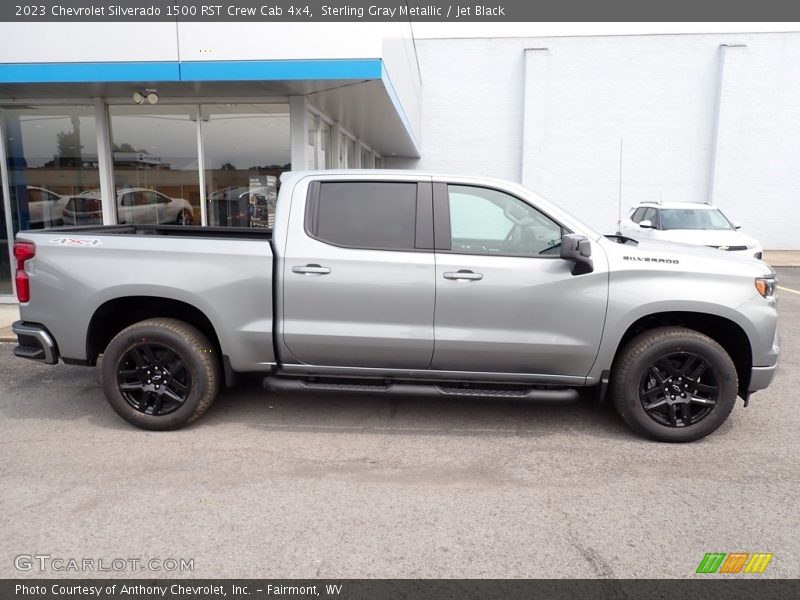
[708,588]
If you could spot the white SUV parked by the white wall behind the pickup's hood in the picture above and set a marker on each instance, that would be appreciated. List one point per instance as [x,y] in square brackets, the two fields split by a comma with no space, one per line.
[688,223]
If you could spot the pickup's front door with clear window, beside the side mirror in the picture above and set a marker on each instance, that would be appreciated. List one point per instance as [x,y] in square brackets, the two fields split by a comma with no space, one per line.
[505,301]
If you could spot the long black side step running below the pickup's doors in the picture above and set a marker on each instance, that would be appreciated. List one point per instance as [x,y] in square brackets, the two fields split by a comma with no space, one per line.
[285,384]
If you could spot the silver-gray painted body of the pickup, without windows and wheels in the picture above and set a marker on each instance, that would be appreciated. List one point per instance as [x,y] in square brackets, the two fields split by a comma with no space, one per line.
[527,319]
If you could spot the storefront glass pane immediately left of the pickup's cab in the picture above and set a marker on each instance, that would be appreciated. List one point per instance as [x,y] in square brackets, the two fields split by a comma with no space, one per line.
[247,147]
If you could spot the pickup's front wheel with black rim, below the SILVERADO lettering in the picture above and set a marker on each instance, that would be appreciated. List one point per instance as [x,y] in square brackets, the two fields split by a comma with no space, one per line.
[674,384]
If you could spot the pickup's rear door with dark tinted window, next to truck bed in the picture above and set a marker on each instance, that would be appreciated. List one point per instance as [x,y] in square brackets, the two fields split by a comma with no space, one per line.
[359,275]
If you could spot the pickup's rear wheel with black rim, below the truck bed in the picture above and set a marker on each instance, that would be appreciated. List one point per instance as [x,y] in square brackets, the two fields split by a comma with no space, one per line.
[160,374]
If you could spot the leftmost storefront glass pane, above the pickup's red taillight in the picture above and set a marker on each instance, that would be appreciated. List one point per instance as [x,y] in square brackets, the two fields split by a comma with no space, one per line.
[52,160]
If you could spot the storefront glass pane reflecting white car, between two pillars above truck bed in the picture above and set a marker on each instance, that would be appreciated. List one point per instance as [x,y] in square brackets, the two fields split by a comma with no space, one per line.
[156,171]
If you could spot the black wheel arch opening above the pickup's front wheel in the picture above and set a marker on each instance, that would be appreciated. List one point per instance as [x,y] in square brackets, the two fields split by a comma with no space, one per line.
[725,332]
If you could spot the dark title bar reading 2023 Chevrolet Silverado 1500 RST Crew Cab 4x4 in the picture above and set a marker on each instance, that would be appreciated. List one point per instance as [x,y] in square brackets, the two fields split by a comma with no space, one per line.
[453,11]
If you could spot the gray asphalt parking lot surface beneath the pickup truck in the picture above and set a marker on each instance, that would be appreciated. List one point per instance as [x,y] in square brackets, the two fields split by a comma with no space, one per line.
[337,486]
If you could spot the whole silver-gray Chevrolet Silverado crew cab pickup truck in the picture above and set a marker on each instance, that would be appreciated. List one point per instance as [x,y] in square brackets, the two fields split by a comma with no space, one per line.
[397,282]
